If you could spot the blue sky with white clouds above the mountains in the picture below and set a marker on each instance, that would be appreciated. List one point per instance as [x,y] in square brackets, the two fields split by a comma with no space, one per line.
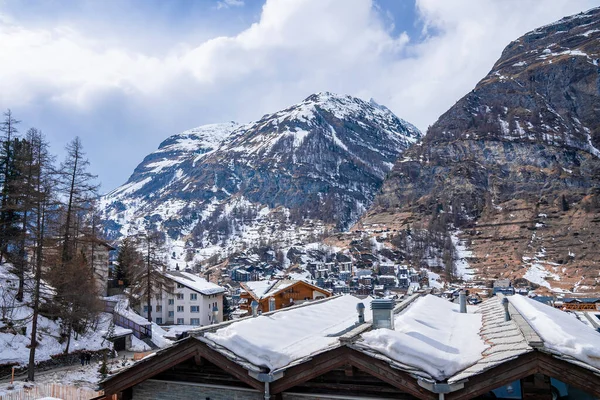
[124,75]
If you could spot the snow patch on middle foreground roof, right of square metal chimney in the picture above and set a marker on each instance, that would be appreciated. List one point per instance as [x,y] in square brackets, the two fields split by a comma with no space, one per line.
[429,335]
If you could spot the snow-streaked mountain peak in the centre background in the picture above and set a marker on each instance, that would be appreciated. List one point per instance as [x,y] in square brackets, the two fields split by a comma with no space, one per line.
[291,176]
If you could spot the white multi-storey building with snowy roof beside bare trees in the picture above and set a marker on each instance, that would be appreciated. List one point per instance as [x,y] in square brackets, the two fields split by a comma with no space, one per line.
[191,302]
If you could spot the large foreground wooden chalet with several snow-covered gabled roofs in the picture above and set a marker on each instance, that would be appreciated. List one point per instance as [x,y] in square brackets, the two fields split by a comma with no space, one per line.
[421,348]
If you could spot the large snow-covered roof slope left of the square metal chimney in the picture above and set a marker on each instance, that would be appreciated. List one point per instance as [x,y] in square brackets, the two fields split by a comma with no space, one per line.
[276,340]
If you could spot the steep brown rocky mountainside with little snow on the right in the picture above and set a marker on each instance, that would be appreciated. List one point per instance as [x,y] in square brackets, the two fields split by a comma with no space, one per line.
[507,182]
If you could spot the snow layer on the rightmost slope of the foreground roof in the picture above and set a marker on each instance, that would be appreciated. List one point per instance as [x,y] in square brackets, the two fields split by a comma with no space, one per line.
[560,331]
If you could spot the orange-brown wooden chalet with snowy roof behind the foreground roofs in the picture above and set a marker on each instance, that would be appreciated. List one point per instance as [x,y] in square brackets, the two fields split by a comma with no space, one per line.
[284,292]
